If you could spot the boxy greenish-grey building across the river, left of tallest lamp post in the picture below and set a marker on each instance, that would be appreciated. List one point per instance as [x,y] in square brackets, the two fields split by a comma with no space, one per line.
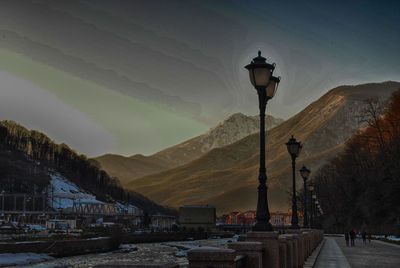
[194,217]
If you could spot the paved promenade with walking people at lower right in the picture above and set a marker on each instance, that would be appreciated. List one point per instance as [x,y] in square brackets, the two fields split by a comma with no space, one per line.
[334,253]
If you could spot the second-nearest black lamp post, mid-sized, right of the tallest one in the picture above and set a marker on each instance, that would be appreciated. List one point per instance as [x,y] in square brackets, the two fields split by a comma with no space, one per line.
[294,148]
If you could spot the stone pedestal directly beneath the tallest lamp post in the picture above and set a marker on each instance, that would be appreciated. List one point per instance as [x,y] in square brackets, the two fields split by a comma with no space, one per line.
[270,244]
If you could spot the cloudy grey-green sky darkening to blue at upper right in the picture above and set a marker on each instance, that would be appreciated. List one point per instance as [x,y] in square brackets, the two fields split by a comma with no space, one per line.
[135,77]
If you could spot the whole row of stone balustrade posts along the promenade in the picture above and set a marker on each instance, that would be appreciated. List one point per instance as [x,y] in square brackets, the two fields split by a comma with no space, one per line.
[263,250]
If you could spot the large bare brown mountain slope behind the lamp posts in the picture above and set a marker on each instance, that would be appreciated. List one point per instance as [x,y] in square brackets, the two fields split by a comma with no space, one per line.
[227,177]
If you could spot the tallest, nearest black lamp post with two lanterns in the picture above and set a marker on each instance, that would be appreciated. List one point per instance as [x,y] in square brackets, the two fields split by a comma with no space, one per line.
[261,78]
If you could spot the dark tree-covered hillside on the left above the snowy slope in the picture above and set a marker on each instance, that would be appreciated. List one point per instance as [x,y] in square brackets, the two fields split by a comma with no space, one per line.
[26,156]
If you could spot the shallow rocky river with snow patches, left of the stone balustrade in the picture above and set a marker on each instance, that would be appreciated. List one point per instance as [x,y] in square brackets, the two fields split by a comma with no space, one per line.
[145,253]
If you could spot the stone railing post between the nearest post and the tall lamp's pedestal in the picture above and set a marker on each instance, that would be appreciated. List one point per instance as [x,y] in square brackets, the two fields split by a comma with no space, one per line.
[253,251]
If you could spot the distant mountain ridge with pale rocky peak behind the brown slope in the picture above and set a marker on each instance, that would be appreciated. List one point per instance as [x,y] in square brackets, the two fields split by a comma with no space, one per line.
[232,129]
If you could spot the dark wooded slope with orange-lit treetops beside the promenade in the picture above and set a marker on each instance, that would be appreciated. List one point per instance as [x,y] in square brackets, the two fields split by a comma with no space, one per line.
[360,188]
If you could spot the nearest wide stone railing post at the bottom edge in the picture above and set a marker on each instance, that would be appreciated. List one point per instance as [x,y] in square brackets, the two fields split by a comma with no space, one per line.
[211,257]
